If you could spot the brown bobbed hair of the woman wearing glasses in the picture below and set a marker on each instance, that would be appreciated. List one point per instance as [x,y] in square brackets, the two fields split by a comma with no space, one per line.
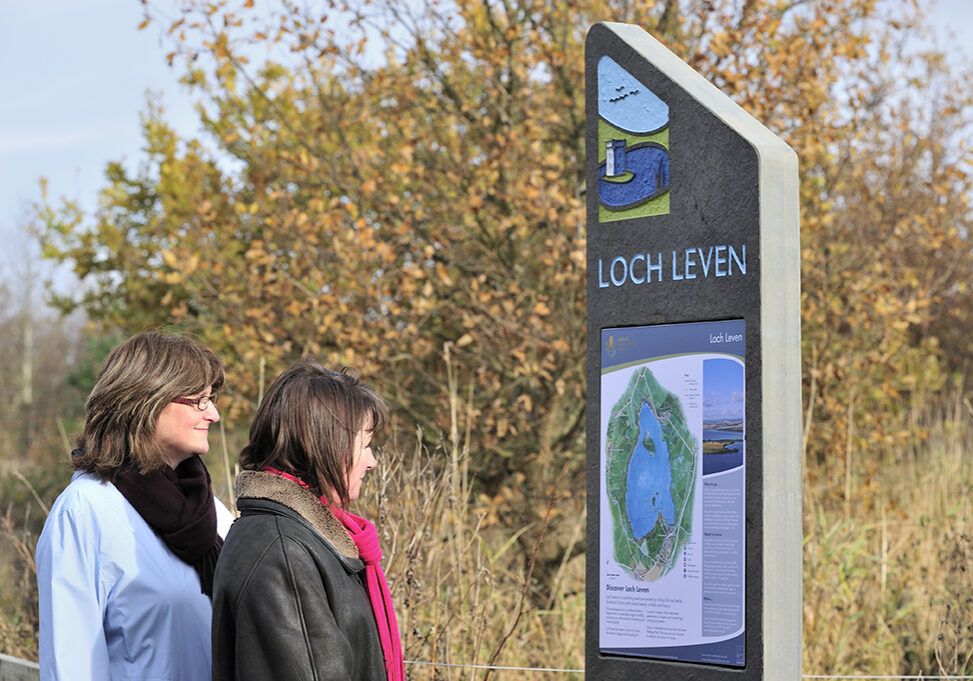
[138,379]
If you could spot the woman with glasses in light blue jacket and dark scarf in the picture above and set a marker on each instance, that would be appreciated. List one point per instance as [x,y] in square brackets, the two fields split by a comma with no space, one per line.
[126,559]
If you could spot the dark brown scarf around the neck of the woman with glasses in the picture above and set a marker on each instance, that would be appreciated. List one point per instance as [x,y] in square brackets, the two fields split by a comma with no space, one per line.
[178,505]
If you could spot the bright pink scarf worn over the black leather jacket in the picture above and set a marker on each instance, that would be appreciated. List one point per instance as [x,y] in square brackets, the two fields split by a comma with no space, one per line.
[365,537]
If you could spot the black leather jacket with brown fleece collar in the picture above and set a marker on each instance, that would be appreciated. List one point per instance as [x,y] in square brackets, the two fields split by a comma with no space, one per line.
[289,601]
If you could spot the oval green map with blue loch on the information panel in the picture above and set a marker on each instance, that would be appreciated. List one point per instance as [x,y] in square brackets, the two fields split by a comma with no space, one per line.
[650,475]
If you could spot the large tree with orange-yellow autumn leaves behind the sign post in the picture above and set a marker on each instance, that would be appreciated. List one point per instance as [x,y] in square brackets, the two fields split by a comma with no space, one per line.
[400,186]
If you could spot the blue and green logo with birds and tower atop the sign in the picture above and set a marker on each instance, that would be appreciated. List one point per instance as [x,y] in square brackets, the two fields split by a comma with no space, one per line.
[633,146]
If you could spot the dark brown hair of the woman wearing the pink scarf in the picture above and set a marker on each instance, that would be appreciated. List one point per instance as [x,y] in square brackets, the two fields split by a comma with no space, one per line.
[306,426]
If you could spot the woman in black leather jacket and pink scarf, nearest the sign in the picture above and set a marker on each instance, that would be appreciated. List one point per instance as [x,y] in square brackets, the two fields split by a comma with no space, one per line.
[299,591]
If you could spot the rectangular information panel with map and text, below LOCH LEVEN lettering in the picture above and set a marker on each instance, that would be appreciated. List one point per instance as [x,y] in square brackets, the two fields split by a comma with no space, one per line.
[673,494]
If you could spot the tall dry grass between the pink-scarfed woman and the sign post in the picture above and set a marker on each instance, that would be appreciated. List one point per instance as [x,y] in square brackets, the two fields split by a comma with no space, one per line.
[462,587]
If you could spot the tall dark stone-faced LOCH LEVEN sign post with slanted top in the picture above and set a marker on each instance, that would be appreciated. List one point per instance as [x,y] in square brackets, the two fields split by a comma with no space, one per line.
[694,376]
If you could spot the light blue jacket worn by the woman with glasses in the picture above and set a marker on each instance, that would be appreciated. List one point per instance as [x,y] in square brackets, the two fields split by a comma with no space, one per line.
[114,601]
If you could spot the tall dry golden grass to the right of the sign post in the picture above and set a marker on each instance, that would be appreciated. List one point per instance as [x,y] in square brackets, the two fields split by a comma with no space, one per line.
[888,568]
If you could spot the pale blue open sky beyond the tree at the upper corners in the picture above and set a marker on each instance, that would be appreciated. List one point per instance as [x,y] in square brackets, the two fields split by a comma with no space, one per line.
[74,76]
